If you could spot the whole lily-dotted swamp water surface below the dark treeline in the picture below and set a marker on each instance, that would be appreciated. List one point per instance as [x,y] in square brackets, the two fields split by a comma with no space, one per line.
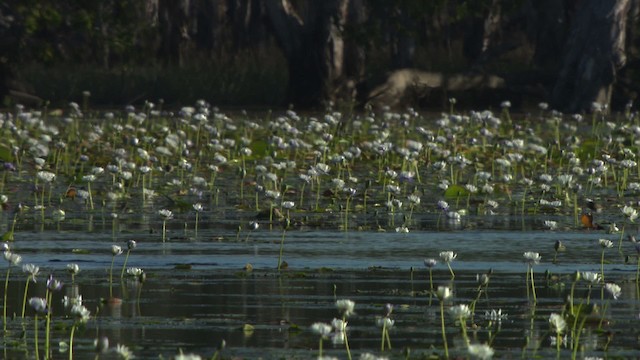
[365,241]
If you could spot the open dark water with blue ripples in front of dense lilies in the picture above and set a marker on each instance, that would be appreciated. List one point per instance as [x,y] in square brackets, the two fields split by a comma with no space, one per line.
[195,307]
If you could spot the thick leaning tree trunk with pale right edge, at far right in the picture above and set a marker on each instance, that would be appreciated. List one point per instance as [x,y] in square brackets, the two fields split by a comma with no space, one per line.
[594,52]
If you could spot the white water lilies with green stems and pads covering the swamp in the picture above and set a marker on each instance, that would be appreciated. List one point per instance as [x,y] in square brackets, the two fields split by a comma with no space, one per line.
[199,175]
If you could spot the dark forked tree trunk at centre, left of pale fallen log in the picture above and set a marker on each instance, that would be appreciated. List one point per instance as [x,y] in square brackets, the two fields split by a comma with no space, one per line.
[313,46]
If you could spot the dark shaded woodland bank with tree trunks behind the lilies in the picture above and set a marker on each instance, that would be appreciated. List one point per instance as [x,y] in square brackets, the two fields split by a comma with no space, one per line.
[264,53]
